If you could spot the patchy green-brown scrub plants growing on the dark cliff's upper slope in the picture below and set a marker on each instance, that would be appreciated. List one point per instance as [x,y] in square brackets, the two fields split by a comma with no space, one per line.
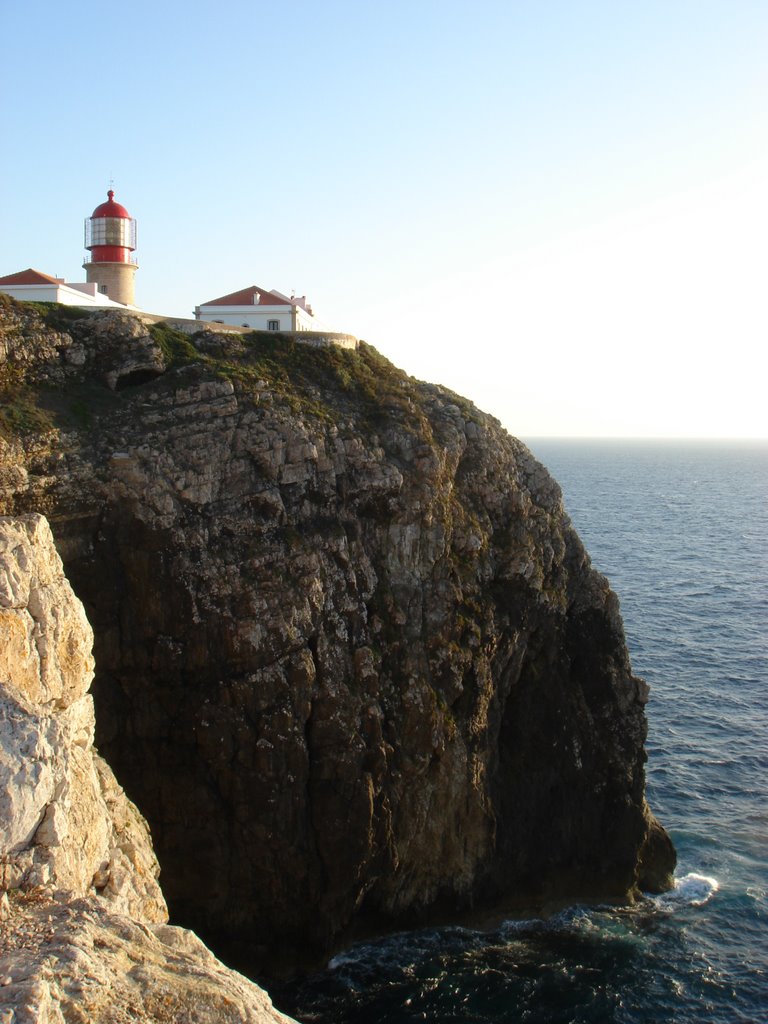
[324,382]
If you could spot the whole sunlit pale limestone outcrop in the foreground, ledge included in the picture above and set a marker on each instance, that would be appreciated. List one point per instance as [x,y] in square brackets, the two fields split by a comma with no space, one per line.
[83,923]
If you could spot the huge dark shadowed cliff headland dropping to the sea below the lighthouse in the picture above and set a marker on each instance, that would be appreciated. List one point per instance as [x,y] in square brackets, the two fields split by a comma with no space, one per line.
[354,663]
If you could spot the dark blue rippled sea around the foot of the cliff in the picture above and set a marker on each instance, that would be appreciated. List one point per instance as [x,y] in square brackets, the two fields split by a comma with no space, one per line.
[681,531]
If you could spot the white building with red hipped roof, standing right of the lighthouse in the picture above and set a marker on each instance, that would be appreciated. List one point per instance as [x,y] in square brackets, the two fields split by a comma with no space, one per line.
[259,309]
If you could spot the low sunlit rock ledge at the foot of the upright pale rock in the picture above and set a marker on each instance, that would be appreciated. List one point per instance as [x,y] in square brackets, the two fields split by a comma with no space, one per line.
[68,963]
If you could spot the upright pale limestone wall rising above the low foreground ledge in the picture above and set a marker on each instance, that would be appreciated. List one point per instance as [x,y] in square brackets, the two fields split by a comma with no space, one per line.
[65,823]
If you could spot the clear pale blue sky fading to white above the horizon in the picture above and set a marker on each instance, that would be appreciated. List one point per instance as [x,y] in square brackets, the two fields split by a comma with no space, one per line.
[558,209]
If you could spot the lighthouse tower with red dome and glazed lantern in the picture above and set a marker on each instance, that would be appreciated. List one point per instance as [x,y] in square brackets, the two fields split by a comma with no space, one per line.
[111,239]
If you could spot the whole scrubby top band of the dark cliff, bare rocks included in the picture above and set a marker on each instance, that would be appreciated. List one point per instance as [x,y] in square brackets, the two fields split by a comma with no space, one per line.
[64,368]
